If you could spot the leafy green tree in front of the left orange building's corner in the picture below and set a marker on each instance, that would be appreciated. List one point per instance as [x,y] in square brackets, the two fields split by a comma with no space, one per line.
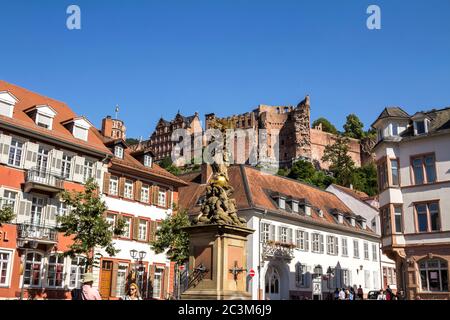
[87,224]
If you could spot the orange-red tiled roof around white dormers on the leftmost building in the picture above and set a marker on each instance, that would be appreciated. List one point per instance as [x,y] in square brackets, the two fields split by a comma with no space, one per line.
[28,99]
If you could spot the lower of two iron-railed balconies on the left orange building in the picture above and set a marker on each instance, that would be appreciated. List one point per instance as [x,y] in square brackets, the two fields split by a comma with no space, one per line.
[28,232]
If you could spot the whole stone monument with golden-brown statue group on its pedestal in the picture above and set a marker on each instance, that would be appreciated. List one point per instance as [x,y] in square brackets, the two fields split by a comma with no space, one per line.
[218,240]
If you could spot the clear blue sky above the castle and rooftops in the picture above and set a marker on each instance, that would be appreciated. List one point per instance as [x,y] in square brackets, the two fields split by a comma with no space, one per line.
[155,57]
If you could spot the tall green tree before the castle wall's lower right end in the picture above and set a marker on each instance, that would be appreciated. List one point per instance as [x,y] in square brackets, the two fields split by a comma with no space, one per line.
[341,164]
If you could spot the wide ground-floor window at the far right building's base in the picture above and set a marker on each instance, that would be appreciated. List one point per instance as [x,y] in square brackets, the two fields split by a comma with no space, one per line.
[434,275]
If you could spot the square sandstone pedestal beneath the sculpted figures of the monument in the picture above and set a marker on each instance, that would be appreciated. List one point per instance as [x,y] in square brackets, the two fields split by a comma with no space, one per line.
[214,251]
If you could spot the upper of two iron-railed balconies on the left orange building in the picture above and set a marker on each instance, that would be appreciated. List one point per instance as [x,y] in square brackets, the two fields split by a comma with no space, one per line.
[43,180]
